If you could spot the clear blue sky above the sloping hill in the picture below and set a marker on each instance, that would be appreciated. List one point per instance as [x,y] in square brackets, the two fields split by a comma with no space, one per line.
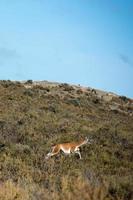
[75,41]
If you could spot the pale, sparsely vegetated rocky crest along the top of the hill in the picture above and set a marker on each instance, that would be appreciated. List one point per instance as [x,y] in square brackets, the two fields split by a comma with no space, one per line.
[120,103]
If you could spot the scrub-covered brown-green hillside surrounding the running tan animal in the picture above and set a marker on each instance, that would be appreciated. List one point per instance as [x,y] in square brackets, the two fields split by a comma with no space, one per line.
[36,115]
